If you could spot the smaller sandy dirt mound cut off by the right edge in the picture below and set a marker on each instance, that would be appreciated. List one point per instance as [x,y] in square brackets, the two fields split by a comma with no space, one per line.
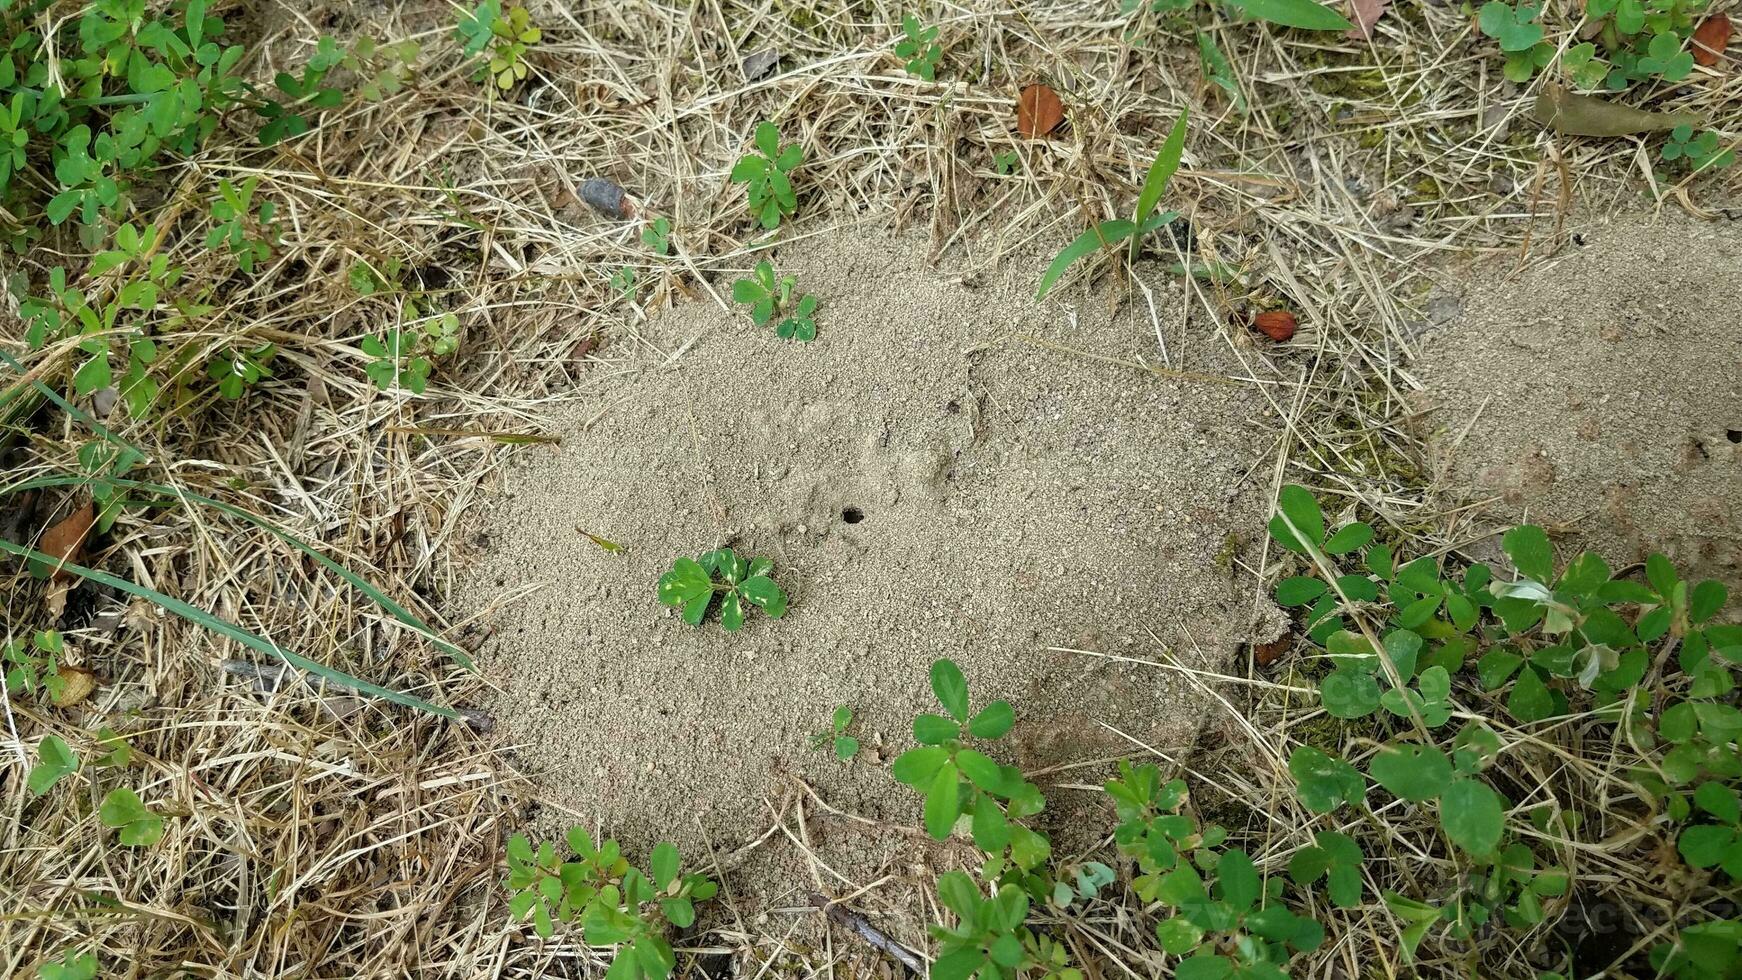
[1600,393]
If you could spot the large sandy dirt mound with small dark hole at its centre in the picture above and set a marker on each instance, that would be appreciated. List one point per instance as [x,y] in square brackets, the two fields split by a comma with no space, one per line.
[929,485]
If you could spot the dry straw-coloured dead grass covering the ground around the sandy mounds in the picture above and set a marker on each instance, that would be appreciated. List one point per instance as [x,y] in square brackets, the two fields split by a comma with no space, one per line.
[309,845]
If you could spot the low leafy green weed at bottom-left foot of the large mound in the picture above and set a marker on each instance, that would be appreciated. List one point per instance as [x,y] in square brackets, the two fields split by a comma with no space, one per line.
[616,904]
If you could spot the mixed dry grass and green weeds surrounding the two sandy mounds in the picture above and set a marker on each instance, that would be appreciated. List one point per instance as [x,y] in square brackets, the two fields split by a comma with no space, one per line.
[285,285]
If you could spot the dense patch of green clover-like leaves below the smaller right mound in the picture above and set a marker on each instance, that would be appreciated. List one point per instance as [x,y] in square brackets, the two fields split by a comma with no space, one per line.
[1647,659]
